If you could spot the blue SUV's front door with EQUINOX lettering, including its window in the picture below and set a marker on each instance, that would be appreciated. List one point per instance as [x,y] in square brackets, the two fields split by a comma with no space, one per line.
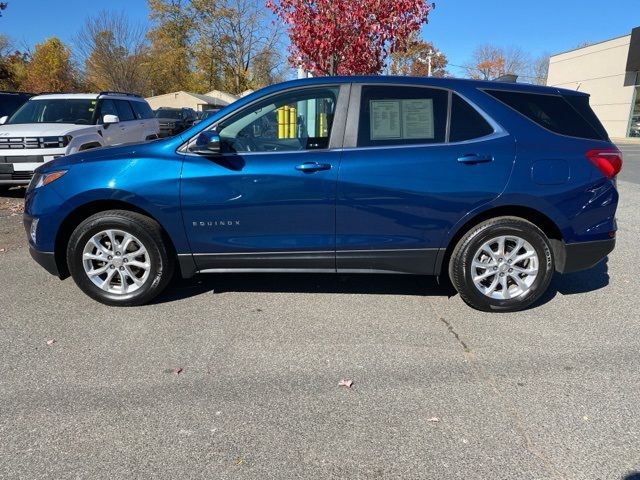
[268,201]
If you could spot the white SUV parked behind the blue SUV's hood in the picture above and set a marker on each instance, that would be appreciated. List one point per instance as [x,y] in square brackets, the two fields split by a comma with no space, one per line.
[49,126]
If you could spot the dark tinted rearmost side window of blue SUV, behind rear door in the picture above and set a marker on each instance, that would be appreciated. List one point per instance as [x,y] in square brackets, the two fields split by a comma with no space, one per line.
[552,112]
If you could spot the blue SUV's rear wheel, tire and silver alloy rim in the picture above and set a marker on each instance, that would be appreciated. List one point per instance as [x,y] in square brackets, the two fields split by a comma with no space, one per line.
[503,264]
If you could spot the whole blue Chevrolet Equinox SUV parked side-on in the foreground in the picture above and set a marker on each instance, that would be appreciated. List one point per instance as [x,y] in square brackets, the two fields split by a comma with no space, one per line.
[495,185]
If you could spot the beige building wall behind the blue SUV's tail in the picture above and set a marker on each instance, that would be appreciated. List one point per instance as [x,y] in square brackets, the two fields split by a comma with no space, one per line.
[608,71]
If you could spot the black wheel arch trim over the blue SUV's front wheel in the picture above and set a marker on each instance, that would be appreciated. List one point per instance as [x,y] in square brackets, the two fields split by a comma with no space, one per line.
[77,216]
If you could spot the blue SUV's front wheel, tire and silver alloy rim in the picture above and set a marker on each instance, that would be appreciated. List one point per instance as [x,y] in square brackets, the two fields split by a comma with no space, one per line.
[119,258]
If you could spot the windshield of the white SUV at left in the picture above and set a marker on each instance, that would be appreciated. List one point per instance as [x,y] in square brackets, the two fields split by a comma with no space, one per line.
[77,111]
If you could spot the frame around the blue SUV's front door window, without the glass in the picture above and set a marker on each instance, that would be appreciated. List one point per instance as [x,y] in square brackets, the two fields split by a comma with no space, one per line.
[336,140]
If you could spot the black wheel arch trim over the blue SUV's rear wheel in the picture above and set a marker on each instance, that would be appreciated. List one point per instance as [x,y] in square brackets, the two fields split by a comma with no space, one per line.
[539,219]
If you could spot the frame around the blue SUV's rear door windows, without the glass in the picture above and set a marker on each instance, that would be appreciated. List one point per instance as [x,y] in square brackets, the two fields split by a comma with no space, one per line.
[353,119]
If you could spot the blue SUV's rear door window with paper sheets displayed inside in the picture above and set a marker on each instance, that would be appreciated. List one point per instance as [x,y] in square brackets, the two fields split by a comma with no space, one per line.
[398,115]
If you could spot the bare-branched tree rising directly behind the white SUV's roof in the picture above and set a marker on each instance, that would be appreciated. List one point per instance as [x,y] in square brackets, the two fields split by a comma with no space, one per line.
[113,51]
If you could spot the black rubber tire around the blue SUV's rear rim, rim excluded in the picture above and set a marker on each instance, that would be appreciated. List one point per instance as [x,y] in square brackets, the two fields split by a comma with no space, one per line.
[460,271]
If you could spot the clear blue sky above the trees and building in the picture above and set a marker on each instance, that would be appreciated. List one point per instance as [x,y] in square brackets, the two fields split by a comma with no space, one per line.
[456,26]
